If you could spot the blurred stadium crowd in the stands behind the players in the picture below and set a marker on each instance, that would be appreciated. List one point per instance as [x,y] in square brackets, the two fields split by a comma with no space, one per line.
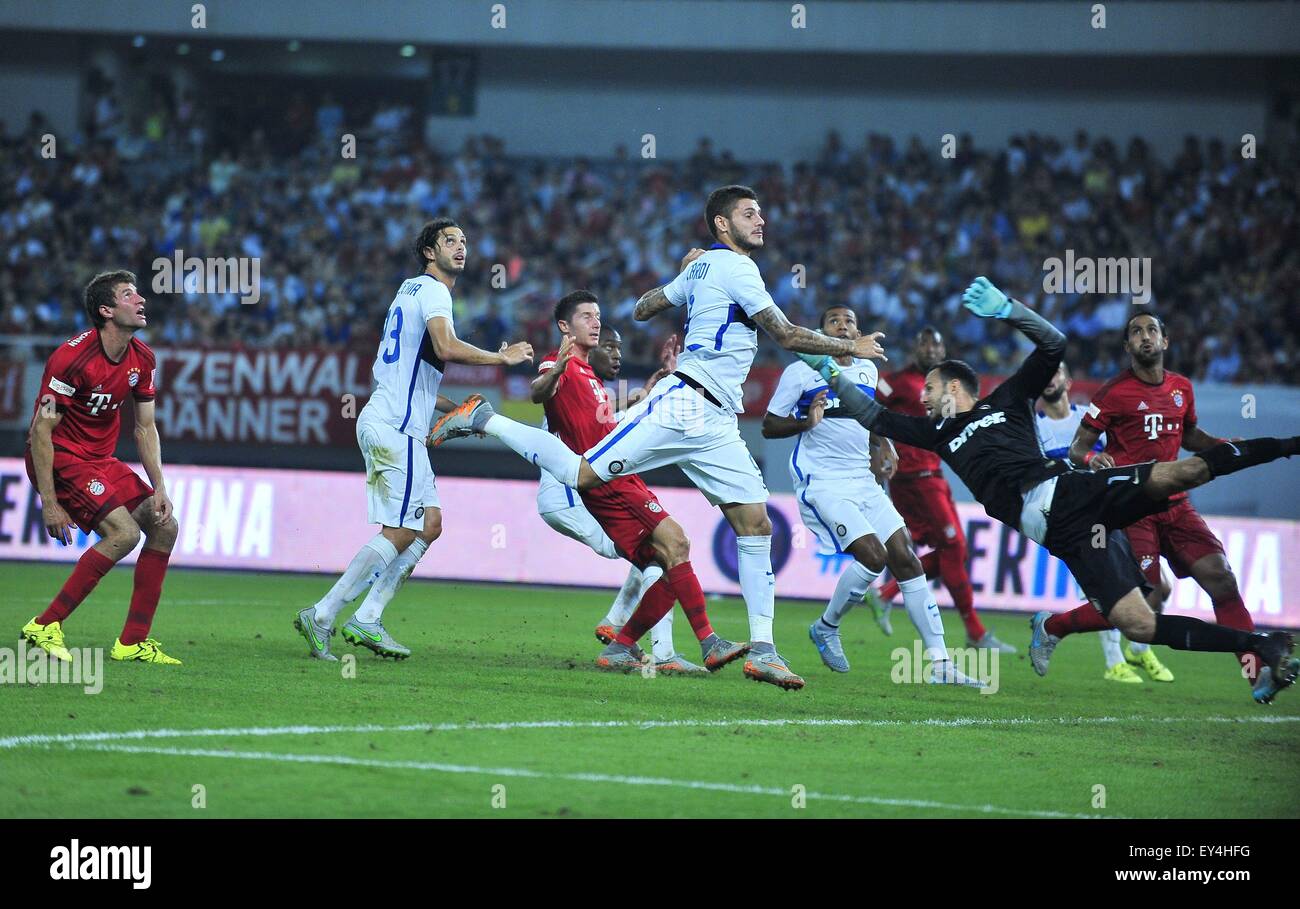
[894,231]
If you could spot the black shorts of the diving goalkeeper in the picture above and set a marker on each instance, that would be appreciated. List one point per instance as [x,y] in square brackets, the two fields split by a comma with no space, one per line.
[1086,526]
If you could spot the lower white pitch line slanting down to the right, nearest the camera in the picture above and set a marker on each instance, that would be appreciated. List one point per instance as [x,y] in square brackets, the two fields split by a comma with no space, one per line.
[343,760]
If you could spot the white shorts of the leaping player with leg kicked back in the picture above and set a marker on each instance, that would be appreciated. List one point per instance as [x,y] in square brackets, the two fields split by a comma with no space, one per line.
[675,425]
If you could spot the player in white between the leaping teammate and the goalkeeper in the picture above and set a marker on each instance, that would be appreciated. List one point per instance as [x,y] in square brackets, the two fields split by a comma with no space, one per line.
[844,507]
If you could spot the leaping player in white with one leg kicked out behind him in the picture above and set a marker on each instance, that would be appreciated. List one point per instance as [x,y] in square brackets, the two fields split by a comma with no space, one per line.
[690,418]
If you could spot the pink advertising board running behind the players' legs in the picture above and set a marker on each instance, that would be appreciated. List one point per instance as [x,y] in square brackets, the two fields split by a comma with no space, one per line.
[314,521]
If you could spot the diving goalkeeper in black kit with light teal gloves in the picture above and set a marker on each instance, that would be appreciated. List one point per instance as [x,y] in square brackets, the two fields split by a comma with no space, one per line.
[1078,516]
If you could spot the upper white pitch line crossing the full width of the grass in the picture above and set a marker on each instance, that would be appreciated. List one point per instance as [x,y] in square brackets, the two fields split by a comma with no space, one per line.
[956,722]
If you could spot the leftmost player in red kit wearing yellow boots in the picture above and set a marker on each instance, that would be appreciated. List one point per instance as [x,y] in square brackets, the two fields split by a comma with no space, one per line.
[71,461]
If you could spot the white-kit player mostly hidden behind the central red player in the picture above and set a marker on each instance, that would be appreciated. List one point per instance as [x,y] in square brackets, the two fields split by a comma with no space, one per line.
[564,512]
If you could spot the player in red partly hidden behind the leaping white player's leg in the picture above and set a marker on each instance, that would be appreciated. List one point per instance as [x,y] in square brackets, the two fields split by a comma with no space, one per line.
[579,412]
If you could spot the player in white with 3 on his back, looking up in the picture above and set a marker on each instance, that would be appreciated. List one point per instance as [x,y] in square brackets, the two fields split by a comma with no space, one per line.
[419,339]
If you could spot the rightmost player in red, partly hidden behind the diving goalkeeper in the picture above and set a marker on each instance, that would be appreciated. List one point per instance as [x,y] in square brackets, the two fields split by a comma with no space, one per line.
[1147,414]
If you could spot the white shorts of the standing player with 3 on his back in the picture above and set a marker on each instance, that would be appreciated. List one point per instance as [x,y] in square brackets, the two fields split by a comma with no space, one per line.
[400,484]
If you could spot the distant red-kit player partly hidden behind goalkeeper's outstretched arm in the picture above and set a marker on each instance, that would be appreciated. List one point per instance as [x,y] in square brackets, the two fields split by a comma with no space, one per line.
[924,499]
